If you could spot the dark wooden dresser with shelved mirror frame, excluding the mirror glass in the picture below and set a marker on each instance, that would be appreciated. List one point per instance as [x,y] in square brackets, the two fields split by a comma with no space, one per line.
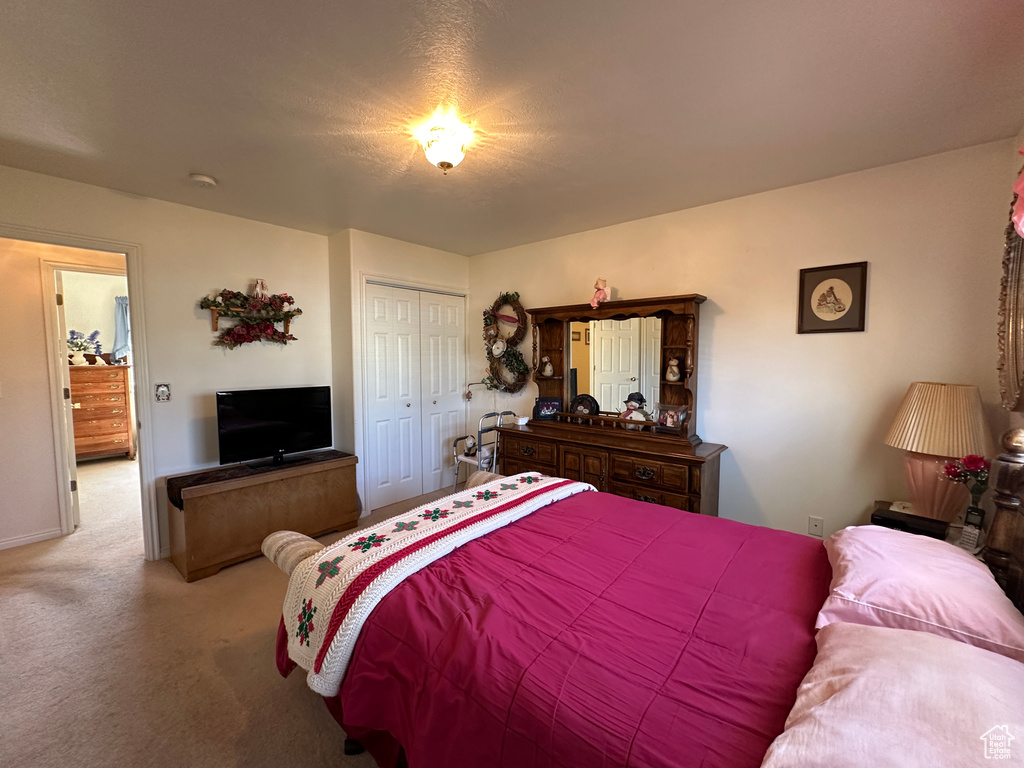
[677,470]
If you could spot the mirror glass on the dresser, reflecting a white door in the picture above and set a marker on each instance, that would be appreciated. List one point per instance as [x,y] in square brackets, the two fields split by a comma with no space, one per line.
[610,360]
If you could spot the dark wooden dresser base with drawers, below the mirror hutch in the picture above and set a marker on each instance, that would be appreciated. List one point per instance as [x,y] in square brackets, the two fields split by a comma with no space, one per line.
[645,467]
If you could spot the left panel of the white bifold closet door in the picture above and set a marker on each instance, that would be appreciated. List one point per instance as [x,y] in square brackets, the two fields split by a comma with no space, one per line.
[392,322]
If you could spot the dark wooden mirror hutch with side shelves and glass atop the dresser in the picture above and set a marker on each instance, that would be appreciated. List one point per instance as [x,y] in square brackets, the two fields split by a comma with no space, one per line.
[632,346]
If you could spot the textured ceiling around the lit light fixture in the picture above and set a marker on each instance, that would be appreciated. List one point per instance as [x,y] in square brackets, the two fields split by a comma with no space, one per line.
[589,113]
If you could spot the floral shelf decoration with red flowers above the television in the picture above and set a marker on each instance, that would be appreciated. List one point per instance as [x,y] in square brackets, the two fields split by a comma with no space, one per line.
[258,314]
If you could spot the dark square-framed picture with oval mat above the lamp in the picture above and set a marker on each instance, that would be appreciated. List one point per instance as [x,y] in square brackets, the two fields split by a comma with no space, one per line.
[833,298]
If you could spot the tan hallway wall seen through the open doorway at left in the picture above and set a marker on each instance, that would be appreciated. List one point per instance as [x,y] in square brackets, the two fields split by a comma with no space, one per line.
[28,465]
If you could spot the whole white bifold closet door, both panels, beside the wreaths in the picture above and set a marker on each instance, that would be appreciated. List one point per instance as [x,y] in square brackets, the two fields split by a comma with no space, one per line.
[415,379]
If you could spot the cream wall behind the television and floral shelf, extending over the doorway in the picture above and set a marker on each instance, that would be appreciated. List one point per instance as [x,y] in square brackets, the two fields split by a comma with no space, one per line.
[188,253]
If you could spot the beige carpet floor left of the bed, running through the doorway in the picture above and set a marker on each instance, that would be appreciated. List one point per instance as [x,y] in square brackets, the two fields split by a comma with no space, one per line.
[107,660]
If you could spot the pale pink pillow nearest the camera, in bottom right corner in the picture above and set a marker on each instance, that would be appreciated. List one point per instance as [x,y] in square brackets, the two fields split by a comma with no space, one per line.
[891,698]
